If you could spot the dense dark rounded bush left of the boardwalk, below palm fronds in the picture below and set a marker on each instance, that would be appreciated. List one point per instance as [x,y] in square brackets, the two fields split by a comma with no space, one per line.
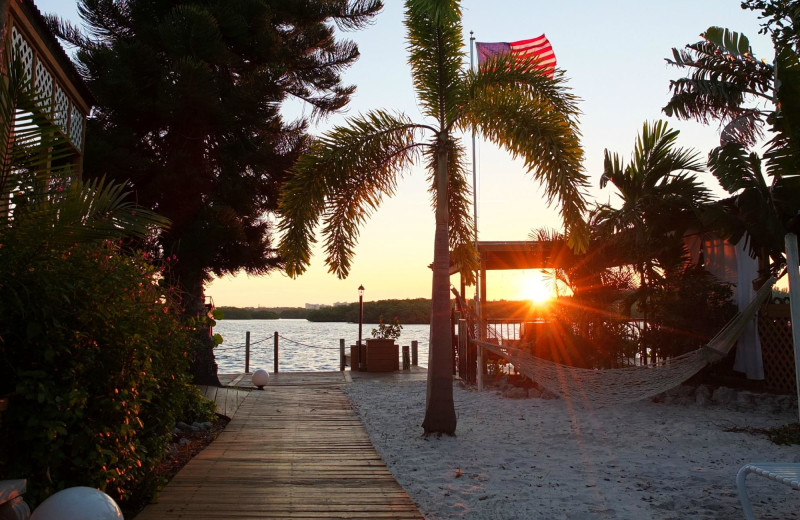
[96,361]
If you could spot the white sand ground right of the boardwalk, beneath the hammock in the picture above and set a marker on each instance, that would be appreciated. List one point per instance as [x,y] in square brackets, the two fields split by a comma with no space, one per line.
[536,458]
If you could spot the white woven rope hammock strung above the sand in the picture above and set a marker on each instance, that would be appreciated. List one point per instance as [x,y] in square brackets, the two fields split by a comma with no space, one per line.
[606,387]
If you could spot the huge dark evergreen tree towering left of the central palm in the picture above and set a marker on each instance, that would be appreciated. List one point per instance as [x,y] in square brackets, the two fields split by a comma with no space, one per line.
[188,109]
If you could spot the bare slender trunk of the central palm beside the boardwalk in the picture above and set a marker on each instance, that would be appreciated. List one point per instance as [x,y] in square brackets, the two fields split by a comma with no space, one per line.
[440,414]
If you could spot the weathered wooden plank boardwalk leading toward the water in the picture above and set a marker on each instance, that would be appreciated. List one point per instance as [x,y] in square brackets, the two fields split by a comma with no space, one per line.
[292,452]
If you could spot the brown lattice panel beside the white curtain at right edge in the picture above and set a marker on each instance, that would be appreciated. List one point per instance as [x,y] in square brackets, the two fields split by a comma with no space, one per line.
[775,330]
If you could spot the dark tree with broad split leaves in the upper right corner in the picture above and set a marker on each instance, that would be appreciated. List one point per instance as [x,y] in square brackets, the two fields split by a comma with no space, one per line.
[728,84]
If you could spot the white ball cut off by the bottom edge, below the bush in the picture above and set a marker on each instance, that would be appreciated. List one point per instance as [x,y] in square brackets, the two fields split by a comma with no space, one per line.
[78,503]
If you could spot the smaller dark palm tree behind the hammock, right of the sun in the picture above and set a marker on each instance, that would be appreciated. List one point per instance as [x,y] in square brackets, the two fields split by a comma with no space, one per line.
[659,202]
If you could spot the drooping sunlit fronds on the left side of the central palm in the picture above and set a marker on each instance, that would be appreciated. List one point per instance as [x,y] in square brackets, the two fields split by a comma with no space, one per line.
[340,182]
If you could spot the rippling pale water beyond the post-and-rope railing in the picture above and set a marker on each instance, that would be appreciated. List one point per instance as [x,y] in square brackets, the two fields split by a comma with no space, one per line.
[304,346]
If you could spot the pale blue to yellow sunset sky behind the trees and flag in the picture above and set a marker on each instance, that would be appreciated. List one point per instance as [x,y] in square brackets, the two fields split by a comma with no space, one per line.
[613,53]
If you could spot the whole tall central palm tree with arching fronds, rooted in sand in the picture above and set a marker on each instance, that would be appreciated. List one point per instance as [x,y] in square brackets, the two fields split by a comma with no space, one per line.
[348,170]
